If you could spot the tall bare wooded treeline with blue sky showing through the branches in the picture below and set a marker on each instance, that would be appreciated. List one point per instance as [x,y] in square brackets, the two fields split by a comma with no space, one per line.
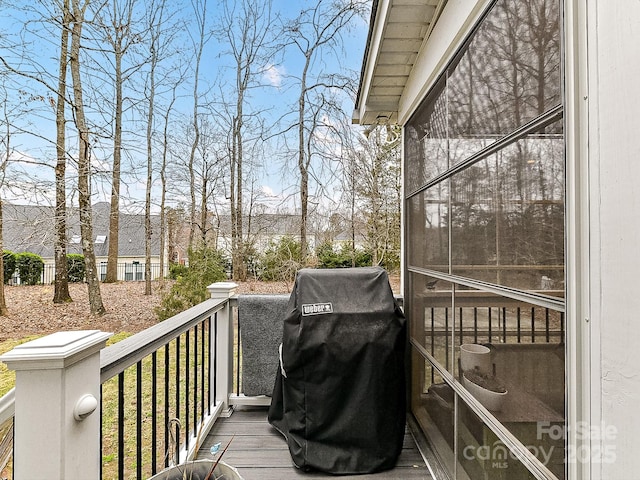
[184,106]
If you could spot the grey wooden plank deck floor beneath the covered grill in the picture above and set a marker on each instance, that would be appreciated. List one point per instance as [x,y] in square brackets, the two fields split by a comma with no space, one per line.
[259,452]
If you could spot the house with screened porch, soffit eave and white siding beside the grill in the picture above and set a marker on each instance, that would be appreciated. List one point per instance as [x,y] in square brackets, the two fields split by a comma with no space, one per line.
[520,161]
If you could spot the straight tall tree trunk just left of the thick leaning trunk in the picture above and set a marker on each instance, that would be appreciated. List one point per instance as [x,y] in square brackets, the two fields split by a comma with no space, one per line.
[61,284]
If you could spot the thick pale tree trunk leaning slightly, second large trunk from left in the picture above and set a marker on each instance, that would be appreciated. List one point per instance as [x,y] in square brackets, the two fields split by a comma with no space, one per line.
[84,185]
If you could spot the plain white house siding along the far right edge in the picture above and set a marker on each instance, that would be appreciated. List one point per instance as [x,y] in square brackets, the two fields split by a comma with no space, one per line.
[613,107]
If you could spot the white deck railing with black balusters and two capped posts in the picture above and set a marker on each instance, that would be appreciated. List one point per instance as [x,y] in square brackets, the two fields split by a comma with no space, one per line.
[59,380]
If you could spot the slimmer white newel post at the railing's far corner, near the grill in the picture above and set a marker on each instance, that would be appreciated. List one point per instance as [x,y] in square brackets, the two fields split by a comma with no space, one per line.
[224,345]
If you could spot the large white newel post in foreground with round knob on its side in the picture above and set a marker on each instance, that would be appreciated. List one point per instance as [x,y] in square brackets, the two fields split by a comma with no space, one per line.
[57,406]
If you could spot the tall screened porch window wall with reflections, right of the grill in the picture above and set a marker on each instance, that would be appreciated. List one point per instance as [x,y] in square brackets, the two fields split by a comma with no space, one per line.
[485,236]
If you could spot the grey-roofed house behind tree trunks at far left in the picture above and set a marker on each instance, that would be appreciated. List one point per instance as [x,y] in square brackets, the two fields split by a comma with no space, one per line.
[30,228]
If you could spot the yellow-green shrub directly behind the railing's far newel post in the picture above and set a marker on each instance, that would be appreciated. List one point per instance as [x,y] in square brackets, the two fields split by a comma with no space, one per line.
[206,266]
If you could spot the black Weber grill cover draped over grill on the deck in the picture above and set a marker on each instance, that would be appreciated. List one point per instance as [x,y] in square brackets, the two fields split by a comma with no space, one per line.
[340,402]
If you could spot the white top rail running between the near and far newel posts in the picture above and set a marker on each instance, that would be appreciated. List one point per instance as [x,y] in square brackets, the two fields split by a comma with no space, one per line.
[121,355]
